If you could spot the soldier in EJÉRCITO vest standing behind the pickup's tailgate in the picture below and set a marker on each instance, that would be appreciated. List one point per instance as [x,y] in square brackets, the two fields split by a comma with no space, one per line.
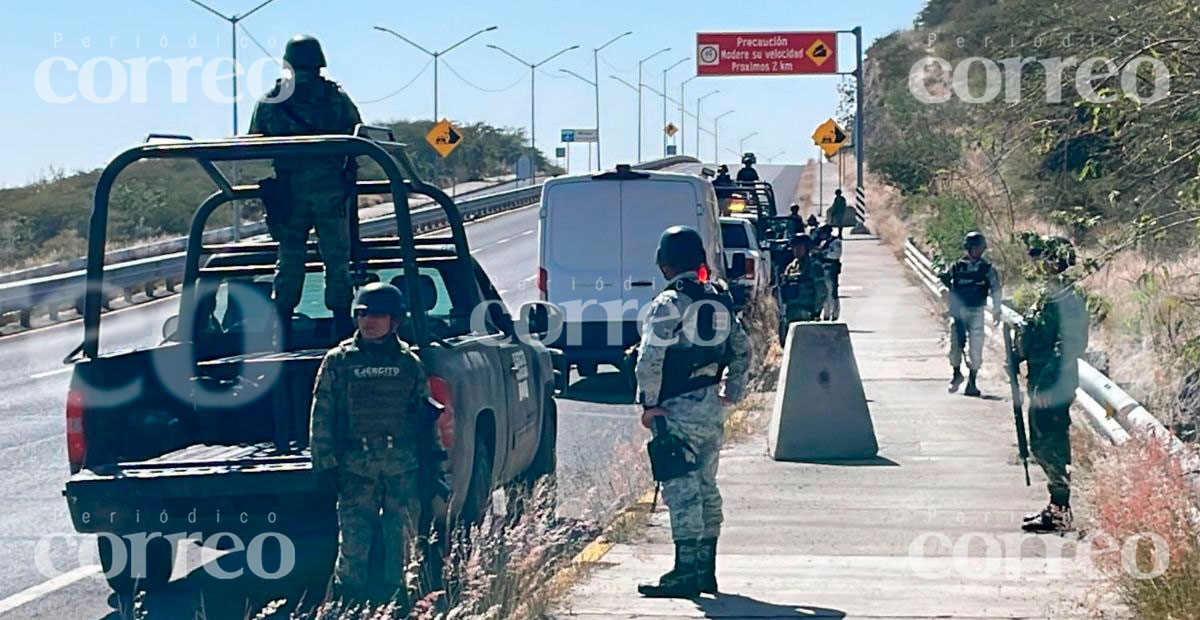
[371,425]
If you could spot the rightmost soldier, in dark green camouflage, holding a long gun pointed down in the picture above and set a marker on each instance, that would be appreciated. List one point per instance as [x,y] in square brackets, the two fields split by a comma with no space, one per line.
[1052,342]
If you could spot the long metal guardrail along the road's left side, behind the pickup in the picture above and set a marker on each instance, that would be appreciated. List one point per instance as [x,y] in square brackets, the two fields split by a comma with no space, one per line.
[55,293]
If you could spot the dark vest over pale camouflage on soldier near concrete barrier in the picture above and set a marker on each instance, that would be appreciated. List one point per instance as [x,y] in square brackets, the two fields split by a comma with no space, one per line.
[685,359]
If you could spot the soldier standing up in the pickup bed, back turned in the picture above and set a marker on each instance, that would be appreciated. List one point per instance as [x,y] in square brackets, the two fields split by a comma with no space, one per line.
[317,186]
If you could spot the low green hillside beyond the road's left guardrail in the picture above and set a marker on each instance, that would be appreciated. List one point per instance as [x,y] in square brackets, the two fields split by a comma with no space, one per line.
[47,221]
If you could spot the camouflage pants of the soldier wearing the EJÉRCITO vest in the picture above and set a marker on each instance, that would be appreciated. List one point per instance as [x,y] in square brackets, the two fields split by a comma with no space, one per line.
[375,495]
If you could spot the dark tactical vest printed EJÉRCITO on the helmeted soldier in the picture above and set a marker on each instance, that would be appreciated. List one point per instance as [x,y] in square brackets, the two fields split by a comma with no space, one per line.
[379,398]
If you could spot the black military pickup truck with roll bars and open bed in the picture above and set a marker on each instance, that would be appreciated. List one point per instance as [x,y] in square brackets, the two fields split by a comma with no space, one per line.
[208,432]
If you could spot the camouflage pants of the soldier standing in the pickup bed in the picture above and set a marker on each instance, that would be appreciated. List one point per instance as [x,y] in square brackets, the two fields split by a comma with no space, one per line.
[326,212]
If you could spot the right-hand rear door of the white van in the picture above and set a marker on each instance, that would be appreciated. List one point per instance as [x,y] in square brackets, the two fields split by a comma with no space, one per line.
[649,208]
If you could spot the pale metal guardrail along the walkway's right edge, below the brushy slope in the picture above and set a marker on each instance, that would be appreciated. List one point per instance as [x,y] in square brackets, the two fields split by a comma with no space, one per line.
[1112,412]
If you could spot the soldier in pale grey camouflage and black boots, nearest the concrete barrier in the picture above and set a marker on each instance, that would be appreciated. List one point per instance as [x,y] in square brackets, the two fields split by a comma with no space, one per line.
[691,405]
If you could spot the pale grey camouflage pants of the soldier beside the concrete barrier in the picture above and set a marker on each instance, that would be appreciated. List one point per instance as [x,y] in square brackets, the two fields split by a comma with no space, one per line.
[694,501]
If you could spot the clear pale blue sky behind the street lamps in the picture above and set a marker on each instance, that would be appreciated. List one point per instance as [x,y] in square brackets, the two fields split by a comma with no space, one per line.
[370,65]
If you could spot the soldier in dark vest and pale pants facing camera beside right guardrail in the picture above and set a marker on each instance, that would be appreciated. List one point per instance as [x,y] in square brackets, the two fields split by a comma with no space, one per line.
[970,281]
